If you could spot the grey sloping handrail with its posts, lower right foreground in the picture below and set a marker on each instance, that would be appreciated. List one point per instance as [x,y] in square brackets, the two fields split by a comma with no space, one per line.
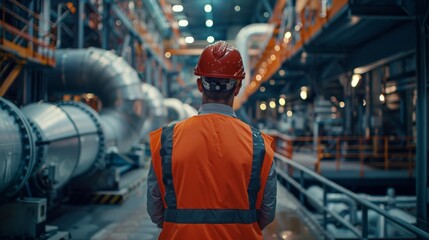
[365,204]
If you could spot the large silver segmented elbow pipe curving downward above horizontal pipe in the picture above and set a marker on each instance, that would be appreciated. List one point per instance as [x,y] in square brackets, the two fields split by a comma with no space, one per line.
[116,84]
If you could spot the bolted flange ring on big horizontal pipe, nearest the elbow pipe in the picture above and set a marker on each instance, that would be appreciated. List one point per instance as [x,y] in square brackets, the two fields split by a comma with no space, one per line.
[99,162]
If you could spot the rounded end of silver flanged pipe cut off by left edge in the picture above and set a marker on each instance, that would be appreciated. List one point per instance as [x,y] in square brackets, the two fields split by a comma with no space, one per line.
[17,150]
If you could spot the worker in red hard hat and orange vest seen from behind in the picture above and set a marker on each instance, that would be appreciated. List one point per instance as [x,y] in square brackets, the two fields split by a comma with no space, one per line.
[212,176]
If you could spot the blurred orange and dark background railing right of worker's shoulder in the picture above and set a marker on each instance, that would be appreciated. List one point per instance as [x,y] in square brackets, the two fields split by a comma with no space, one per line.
[380,152]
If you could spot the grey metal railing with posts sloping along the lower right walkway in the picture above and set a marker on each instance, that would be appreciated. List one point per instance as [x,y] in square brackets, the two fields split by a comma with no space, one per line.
[360,230]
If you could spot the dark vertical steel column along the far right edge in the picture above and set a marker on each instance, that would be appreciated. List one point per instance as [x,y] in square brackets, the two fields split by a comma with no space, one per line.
[422,61]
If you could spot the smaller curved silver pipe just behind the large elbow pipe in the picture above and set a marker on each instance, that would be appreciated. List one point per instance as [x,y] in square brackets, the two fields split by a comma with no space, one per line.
[156,111]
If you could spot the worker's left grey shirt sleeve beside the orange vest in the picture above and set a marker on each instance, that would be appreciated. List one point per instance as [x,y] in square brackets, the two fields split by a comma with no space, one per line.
[155,206]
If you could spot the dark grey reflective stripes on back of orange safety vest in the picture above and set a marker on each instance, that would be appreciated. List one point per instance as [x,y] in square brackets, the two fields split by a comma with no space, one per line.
[209,216]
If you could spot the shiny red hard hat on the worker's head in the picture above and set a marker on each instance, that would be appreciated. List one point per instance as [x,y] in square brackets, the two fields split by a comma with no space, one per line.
[220,60]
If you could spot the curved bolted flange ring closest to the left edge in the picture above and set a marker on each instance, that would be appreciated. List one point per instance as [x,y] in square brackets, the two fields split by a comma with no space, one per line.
[28,148]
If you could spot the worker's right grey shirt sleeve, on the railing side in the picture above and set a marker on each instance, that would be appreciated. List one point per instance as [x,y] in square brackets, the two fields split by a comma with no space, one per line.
[267,211]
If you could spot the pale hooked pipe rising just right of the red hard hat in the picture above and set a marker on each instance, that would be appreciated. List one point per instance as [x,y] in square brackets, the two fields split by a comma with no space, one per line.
[241,42]
